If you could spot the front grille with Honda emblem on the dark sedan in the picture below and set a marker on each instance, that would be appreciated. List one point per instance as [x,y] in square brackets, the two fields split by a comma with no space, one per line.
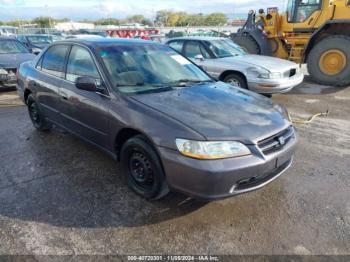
[276,142]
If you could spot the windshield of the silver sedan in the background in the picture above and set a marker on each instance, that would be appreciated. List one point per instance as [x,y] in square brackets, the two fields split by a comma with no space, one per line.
[225,48]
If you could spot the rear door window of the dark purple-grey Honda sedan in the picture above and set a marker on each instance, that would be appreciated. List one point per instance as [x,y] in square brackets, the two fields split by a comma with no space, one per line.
[53,61]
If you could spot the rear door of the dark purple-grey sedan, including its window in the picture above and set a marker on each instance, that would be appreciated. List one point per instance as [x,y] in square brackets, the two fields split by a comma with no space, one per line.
[50,69]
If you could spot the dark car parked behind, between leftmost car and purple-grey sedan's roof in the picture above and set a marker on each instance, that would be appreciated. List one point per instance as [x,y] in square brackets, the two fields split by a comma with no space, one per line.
[36,42]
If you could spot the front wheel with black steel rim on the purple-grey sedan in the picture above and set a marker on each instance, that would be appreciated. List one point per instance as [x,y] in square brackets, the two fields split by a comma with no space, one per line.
[143,170]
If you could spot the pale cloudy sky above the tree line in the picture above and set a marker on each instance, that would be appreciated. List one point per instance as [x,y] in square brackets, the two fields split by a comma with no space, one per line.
[94,9]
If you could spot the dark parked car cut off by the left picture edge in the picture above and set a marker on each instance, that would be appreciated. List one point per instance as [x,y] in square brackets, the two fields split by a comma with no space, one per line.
[12,54]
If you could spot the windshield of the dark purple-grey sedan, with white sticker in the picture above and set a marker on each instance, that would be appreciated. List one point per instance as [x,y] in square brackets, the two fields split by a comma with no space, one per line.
[144,68]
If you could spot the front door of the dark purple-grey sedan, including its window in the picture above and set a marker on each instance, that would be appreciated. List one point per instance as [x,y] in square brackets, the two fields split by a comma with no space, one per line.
[85,113]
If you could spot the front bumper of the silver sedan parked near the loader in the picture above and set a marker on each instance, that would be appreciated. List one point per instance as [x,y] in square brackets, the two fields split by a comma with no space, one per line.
[274,86]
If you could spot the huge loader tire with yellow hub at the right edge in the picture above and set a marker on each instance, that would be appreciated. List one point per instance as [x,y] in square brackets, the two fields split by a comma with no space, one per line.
[323,69]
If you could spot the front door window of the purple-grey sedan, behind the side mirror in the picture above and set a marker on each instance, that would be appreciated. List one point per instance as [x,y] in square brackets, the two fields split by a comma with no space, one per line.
[80,63]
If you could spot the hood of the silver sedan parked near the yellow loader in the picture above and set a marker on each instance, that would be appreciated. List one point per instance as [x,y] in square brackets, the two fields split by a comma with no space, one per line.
[270,63]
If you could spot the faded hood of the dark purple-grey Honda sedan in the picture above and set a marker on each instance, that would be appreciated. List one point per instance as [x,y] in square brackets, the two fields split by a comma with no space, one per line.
[219,111]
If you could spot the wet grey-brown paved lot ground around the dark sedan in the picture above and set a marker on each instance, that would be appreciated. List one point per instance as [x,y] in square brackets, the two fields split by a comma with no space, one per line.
[59,195]
